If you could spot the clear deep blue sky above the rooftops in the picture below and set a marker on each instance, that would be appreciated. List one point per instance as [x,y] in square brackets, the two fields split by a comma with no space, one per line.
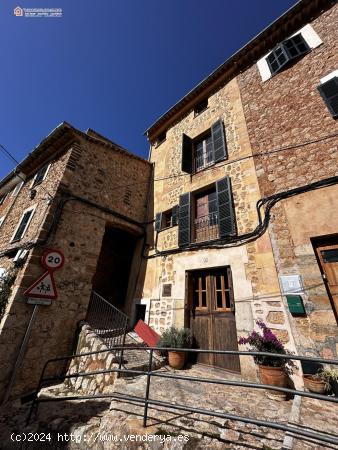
[113,65]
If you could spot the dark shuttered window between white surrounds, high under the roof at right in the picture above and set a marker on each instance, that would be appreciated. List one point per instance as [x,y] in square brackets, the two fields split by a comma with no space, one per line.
[286,51]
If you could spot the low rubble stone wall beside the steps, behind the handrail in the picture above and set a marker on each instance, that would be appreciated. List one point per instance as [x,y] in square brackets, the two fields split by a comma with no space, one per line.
[87,342]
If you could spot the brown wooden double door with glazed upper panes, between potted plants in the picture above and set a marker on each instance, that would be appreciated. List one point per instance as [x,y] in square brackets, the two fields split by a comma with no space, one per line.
[212,316]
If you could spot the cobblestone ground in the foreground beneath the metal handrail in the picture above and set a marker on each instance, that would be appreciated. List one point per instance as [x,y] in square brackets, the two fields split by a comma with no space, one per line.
[95,423]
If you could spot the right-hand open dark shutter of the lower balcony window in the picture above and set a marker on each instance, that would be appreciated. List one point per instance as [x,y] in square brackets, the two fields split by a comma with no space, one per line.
[226,212]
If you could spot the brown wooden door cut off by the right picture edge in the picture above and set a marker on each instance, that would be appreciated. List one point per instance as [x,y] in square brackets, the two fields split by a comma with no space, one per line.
[327,255]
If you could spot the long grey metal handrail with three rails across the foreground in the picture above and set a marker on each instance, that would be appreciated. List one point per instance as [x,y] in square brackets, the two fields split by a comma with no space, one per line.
[146,401]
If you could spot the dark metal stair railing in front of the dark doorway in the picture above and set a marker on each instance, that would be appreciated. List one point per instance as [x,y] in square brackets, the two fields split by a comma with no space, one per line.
[108,322]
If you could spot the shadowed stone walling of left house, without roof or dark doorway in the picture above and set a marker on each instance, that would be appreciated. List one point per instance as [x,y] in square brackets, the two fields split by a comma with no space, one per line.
[114,180]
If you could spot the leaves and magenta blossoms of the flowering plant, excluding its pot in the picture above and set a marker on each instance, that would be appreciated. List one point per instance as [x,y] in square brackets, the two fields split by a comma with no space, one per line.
[267,341]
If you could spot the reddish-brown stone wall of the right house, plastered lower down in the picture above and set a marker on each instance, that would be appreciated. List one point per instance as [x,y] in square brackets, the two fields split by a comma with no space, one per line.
[286,115]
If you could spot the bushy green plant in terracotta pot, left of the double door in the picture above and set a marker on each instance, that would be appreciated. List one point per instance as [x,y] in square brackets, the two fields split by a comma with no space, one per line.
[176,338]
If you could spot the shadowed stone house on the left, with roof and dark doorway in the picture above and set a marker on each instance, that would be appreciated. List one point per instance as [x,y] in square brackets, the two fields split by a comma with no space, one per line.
[81,190]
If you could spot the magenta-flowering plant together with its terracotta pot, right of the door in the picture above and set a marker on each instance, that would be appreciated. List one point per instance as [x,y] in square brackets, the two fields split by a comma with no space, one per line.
[272,370]
